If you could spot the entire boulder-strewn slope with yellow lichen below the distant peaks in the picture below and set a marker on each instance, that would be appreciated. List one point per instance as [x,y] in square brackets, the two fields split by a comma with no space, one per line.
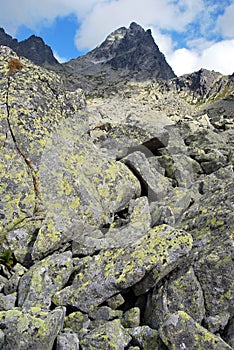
[116,209]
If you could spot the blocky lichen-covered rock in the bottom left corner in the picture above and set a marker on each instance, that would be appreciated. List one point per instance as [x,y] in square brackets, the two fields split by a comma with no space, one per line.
[34,329]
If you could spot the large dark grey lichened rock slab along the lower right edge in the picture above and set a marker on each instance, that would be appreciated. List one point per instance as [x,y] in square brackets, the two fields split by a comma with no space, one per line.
[211,220]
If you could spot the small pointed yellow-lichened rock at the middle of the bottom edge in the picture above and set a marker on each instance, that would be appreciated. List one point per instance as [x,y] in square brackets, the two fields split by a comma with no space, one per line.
[109,336]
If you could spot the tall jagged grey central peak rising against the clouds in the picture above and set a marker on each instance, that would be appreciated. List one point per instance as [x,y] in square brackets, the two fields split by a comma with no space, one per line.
[131,50]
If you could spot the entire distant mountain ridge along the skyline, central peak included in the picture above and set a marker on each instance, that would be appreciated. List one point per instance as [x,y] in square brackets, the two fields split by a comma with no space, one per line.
[127,54]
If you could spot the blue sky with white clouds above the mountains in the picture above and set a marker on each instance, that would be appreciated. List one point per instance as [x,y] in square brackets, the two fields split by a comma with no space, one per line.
[192,34]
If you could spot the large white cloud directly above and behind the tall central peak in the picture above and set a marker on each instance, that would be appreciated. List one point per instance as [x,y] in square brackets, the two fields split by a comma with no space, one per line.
[107,16]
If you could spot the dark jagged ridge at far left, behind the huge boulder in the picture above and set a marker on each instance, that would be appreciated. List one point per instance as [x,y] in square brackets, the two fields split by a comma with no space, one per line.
[32,48]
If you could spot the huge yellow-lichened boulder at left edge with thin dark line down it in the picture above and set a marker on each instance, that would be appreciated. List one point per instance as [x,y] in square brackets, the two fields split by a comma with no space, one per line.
[33,104]
